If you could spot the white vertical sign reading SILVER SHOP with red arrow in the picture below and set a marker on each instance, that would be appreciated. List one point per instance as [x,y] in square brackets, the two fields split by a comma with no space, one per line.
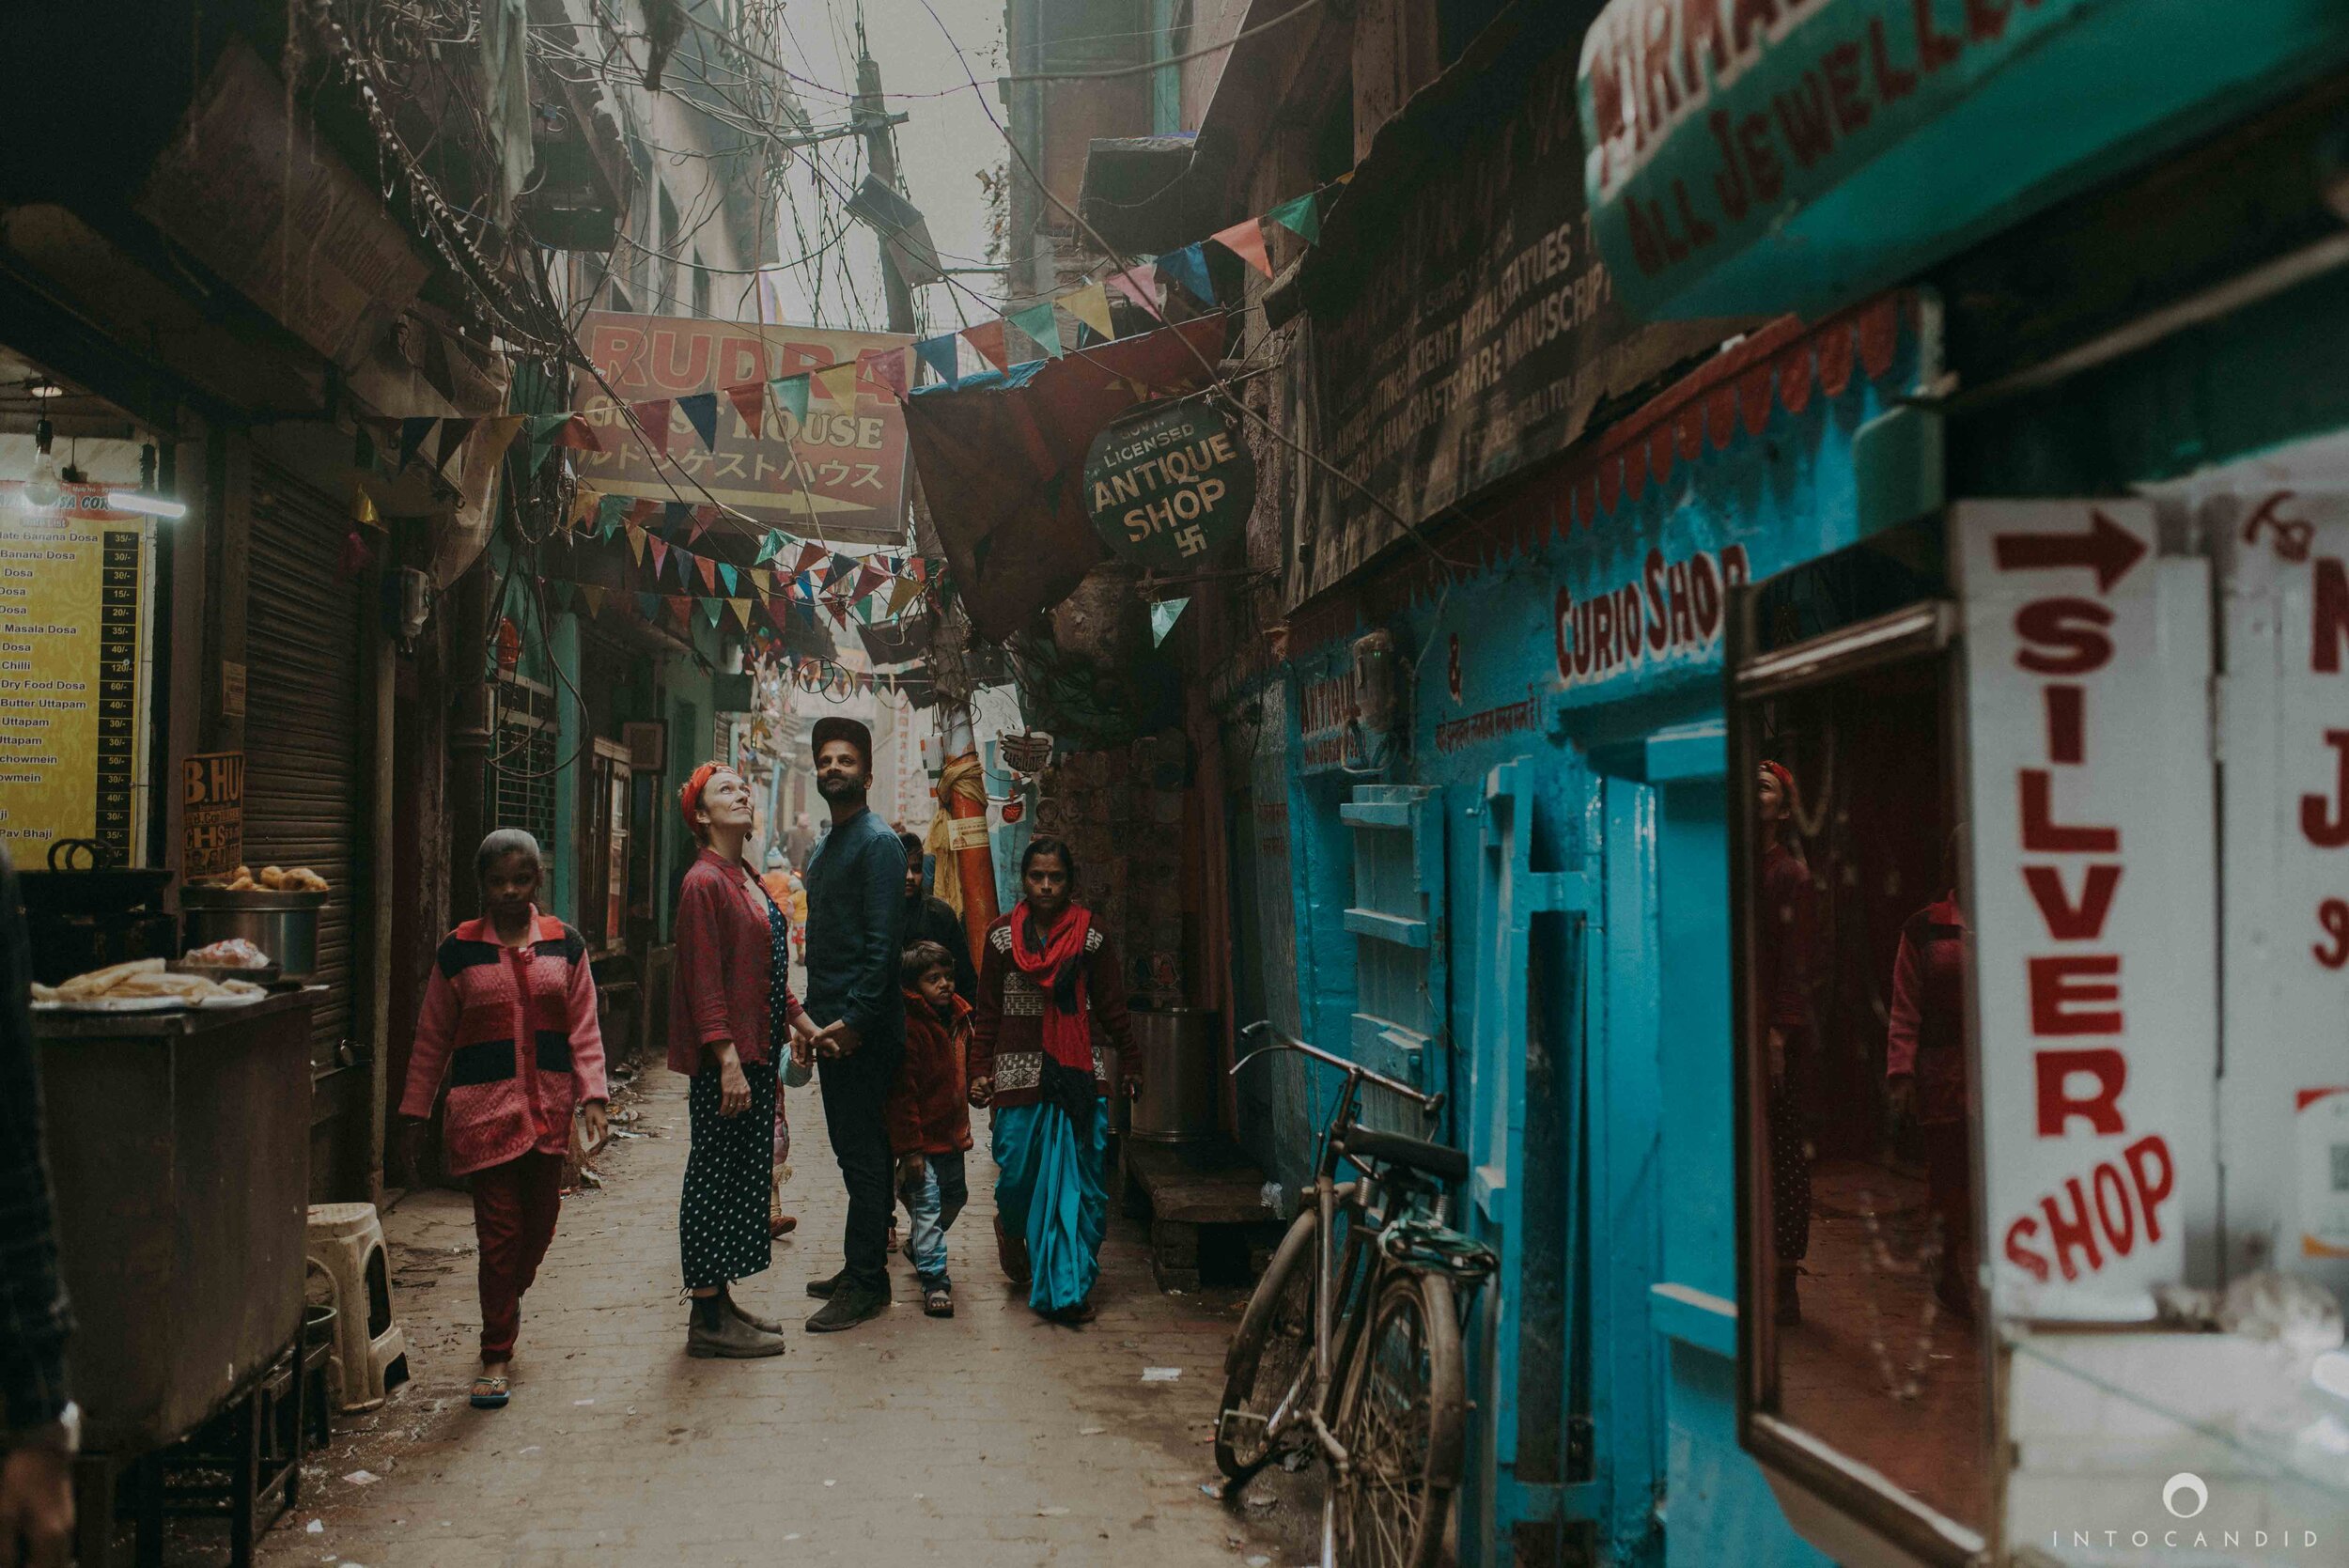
[2092,903]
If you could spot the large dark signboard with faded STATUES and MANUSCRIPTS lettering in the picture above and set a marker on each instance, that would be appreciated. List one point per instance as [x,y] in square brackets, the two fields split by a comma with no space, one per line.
[1465,325]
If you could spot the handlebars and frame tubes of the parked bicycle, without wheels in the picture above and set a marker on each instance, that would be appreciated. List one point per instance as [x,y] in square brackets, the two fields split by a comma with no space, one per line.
[1366,1196]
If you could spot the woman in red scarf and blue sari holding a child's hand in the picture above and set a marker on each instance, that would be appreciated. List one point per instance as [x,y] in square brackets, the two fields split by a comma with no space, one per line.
[1051,1008]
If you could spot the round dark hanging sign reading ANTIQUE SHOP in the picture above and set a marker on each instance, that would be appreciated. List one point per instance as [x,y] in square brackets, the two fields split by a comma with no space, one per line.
[1169,487]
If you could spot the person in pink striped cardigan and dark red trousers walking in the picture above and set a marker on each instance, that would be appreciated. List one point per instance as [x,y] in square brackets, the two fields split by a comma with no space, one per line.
[509,1020]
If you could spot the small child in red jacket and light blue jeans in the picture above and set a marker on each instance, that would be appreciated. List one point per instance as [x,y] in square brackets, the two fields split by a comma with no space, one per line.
[929,1116]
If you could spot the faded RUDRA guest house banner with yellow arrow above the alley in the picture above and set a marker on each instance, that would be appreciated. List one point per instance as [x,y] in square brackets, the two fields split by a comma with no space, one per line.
[833,473]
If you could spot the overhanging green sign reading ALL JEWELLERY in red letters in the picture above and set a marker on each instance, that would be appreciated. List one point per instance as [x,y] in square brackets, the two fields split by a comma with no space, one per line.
[1763,156]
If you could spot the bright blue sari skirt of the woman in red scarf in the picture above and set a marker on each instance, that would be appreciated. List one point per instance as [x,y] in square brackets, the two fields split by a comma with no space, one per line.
[1051,1194]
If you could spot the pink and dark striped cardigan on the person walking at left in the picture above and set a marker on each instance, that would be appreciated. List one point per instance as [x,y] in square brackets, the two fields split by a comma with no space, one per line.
[516,1036]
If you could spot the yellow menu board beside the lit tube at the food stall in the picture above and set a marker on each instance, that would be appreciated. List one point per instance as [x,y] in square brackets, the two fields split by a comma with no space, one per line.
[74,661]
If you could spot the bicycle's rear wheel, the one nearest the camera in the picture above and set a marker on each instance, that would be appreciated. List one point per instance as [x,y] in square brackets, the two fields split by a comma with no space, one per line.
[1404,1421]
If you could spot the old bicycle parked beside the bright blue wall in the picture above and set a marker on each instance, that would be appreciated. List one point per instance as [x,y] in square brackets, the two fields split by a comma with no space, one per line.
[1352,1353]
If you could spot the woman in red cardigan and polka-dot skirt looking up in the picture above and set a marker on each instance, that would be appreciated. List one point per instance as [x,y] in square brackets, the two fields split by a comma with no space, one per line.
[729,1013]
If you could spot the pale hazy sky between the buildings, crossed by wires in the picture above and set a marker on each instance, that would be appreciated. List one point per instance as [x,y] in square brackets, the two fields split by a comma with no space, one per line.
[941,151]
